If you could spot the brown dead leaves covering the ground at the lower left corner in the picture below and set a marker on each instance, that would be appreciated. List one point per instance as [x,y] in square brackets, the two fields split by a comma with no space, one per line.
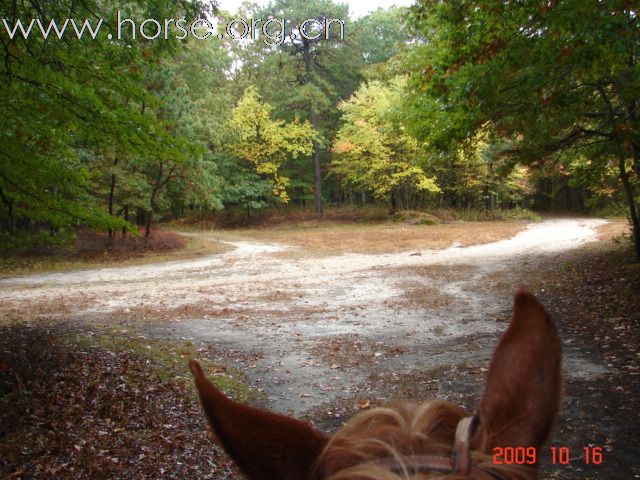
[80,412]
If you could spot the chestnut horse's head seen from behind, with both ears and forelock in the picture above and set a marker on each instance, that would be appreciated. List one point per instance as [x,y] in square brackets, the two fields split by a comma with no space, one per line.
[434,439]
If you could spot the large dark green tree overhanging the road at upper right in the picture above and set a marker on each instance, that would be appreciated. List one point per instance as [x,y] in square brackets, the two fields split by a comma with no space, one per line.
[546,76]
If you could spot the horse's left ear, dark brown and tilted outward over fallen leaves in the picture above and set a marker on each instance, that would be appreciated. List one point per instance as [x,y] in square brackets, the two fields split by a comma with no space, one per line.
[265,445]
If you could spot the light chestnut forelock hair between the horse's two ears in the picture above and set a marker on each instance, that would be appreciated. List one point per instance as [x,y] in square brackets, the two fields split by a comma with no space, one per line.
[397,432]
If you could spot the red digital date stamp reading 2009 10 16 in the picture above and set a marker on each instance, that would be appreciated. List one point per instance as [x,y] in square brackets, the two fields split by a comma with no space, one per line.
[559,455]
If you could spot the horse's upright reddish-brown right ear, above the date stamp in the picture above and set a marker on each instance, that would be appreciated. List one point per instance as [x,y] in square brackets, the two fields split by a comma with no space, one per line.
[524,384]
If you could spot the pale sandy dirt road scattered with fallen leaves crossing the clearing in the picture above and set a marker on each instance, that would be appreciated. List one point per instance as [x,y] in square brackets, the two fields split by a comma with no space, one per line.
[314,330]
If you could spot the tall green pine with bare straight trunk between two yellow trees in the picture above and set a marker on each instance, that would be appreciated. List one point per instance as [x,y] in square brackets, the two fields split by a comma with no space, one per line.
[312,74]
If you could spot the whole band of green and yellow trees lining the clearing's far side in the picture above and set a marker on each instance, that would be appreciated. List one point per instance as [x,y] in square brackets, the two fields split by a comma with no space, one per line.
[457,104]
